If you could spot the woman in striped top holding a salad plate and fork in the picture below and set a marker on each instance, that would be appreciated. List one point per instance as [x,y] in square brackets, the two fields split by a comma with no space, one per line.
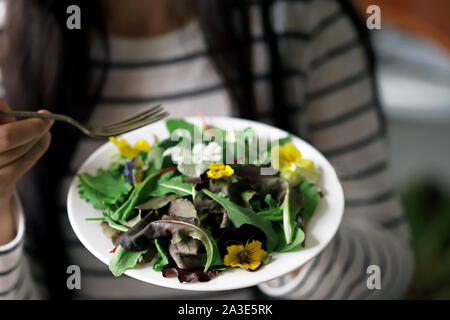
[304,66]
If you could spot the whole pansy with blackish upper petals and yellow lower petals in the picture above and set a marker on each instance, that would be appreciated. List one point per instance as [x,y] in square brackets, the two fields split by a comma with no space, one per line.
[243,247]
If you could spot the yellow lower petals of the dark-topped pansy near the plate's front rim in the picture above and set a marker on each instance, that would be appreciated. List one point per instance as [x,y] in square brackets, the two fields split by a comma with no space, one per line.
[248,257]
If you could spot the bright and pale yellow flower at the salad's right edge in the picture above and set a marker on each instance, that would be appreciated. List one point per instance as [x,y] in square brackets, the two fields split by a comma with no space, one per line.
[292,166]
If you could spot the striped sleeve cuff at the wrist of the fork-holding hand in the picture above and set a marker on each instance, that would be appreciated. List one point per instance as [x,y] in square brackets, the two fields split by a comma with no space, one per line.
[15,276]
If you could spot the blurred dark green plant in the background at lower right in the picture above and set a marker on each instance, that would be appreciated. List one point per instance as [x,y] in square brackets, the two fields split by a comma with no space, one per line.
[428,211]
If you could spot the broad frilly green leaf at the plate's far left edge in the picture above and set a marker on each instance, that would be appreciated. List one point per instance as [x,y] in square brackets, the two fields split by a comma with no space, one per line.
[105,189]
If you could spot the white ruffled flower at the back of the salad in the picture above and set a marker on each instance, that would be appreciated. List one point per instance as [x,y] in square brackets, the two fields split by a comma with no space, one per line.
[193,163]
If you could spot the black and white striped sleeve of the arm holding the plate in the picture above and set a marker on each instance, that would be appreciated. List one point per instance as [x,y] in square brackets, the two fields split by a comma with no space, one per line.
[345,124]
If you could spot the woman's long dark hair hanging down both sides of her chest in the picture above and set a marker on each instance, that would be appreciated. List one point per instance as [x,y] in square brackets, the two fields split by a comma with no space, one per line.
[46,65]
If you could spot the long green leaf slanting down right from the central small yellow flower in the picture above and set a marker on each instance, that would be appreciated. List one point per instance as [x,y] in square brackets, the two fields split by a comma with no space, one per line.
[240,215]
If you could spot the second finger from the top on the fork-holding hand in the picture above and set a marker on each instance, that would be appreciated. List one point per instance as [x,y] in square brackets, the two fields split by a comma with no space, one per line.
[13,172]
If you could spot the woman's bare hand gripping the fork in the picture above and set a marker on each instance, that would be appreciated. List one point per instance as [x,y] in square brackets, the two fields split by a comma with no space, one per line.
[22,144]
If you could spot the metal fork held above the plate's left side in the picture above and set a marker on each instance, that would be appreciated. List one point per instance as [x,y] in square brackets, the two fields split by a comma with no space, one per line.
[109,130]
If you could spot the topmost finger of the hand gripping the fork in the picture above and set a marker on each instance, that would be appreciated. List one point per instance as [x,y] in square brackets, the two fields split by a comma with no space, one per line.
[15,134]
